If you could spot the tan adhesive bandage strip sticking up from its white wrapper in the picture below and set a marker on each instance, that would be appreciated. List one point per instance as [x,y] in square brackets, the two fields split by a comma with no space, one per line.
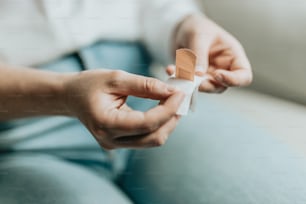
[185,64]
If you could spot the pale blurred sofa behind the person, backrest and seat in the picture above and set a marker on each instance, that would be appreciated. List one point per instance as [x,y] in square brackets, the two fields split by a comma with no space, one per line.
[273,34]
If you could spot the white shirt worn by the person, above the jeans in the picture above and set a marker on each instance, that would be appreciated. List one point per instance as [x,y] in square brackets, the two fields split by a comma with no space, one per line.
[37,31]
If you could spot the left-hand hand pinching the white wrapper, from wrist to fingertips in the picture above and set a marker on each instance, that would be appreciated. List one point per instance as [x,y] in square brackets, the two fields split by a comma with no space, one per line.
[98,99]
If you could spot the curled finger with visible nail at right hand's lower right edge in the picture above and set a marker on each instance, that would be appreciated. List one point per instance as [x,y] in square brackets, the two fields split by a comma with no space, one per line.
[241,77]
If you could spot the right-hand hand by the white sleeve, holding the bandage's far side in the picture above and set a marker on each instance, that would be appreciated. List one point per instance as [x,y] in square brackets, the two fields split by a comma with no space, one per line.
[221,56]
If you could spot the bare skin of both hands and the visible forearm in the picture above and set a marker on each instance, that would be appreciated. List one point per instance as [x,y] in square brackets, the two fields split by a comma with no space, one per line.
[98,97]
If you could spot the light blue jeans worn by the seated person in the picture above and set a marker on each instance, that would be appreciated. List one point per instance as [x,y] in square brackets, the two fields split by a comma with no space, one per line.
[214,156]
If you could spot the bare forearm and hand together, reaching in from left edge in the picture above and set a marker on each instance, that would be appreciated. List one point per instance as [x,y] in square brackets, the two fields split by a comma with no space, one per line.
[97,98]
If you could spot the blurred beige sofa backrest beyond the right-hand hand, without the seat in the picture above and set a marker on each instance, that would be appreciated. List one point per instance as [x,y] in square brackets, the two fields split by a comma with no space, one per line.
[274,35]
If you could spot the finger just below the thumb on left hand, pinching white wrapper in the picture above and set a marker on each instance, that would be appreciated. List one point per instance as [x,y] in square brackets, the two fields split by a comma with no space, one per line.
[136,122]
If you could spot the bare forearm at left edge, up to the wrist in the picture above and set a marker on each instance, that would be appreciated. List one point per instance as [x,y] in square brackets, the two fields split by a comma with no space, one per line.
[28,92]
